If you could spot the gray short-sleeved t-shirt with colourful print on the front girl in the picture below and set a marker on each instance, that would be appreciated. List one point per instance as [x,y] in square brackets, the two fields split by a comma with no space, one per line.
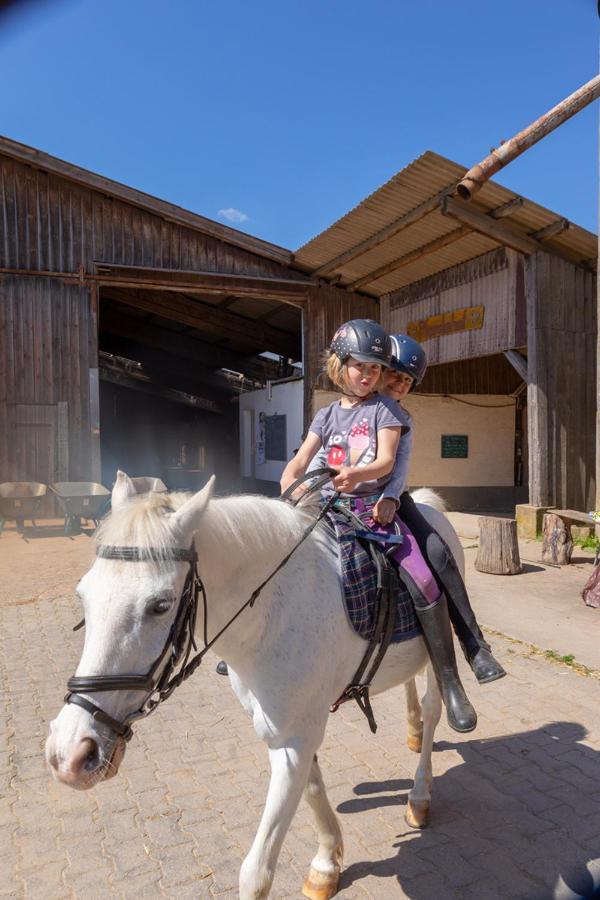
[349,436]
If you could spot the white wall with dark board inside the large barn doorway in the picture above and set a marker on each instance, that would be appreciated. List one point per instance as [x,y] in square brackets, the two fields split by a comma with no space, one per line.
[286,399]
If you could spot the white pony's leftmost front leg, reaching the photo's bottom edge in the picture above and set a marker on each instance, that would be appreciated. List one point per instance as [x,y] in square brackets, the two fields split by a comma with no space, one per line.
[289,771]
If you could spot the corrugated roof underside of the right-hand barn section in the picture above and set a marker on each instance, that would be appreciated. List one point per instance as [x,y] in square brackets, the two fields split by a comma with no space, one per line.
[428,177]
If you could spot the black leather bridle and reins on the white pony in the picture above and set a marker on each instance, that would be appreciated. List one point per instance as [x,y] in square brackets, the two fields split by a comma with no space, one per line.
[180,640]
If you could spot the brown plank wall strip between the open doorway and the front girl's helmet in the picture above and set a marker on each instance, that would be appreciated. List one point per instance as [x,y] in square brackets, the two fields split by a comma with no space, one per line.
[327,307]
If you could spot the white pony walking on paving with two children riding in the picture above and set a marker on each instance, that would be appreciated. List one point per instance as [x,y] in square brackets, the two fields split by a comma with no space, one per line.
[290,655]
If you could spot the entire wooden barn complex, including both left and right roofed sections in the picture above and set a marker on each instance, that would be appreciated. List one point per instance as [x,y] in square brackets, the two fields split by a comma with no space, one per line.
[129,327]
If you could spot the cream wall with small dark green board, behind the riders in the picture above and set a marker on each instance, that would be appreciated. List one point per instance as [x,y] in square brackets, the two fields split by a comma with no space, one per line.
[490,426]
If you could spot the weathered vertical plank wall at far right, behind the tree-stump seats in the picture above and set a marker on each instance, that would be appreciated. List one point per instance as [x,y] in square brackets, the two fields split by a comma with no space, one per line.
[561,315]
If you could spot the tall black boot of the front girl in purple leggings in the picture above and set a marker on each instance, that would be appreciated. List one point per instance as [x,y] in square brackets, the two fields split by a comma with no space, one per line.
[437,633]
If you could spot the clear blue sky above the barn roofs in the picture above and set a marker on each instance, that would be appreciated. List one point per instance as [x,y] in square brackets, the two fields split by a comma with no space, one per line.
[292,112]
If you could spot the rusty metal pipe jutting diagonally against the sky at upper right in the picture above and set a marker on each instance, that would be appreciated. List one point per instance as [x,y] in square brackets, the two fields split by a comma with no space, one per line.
[476,177]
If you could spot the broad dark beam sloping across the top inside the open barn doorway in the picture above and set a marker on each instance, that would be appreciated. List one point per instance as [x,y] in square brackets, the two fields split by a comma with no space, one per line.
[207,318]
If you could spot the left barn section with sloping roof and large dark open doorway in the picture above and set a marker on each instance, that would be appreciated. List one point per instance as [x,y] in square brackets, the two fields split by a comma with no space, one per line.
[129,327]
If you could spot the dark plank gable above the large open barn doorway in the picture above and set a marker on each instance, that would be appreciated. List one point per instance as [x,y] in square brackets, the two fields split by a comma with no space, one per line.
[48,223]
